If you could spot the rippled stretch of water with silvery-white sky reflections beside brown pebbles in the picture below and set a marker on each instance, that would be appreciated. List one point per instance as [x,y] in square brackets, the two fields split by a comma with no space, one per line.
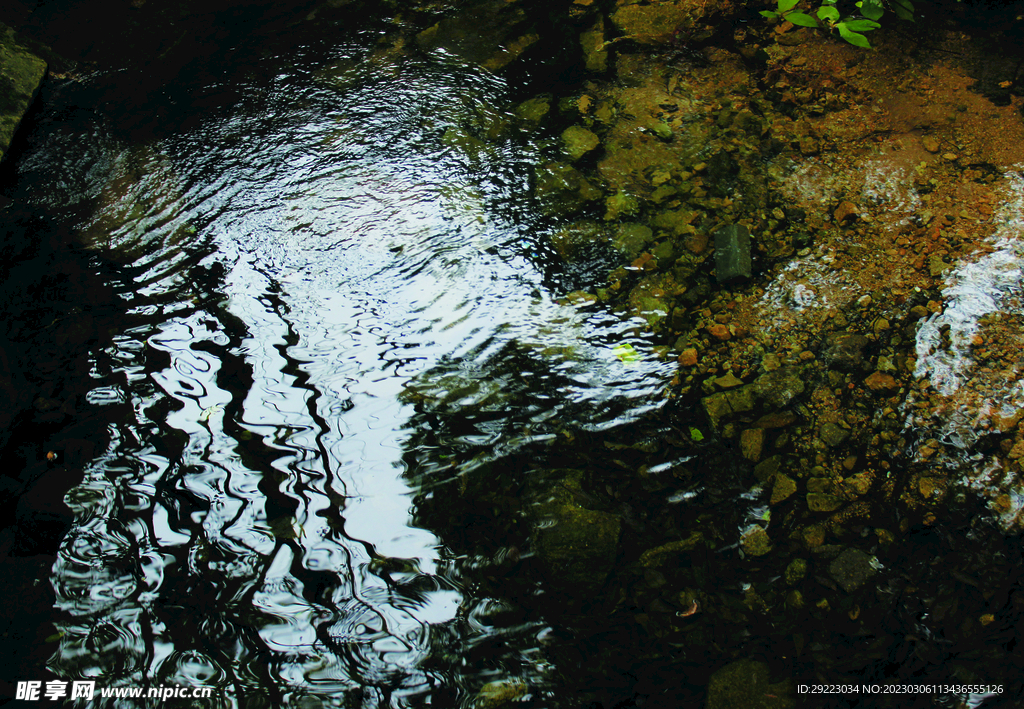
[308,280]
